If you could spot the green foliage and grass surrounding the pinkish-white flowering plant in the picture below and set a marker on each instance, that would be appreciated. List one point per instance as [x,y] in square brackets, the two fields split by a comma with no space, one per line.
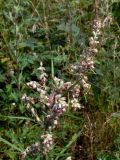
[57,32]
